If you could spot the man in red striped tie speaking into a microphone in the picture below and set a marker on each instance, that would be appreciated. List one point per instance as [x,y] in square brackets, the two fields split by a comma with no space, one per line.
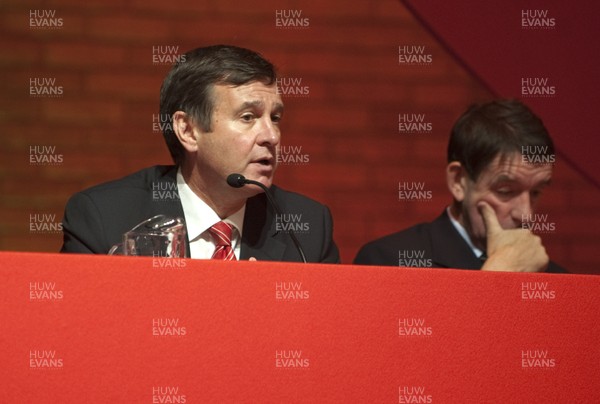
[223,113]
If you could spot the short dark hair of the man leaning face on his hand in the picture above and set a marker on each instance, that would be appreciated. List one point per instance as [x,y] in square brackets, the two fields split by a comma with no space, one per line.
[497,128]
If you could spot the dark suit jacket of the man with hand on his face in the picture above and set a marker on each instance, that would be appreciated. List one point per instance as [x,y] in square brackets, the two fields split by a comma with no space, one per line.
[437,244]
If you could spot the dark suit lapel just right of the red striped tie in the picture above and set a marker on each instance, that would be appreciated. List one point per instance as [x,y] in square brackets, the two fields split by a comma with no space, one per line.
[260,236]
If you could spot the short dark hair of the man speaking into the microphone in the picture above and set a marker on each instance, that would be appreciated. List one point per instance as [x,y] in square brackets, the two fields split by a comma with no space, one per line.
[188,86]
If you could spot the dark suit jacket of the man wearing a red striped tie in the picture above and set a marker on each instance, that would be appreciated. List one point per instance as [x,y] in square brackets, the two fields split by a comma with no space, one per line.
[95,219]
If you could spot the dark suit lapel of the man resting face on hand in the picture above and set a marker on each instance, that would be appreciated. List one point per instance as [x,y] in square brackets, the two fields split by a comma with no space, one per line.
[451,250]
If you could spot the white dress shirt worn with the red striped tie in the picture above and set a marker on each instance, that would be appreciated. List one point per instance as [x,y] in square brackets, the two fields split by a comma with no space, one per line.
[199,217]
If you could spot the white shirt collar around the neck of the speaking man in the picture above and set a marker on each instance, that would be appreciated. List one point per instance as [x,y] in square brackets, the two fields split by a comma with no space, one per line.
[199,217]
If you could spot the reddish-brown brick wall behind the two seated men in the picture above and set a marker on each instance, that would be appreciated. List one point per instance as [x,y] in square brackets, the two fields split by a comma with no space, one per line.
[346,122]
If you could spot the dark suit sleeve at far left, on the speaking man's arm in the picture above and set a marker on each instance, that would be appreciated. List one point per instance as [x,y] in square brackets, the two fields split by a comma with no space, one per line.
[82,227]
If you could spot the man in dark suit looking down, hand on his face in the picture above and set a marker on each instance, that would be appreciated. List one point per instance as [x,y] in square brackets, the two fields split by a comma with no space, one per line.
[499,162]
